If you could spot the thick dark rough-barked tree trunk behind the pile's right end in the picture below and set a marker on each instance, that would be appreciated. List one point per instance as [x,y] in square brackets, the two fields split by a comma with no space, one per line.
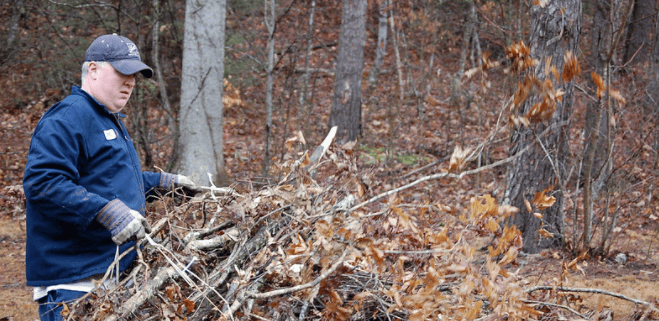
[542,166]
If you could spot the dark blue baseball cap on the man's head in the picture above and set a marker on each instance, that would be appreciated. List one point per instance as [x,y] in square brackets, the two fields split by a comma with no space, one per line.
[120,52]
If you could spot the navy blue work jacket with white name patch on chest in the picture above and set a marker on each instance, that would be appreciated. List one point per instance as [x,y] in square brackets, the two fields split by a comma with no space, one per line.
[80,159]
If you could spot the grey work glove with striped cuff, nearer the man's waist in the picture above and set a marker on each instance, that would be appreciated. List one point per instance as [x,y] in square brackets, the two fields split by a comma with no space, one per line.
[123,222]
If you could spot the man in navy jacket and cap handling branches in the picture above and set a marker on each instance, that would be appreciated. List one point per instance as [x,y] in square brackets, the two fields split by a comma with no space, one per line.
[83,182]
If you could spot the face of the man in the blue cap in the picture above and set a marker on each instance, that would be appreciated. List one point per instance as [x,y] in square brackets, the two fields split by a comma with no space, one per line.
[112,88]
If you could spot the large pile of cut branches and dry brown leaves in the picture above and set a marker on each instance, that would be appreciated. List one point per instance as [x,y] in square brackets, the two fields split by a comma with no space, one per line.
[315,246]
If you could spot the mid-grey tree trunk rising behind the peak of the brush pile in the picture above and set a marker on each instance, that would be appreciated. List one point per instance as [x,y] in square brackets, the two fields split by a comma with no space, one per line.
[346,110]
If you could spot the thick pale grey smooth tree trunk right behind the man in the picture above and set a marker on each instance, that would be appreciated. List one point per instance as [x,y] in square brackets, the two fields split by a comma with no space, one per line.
[200,119]
